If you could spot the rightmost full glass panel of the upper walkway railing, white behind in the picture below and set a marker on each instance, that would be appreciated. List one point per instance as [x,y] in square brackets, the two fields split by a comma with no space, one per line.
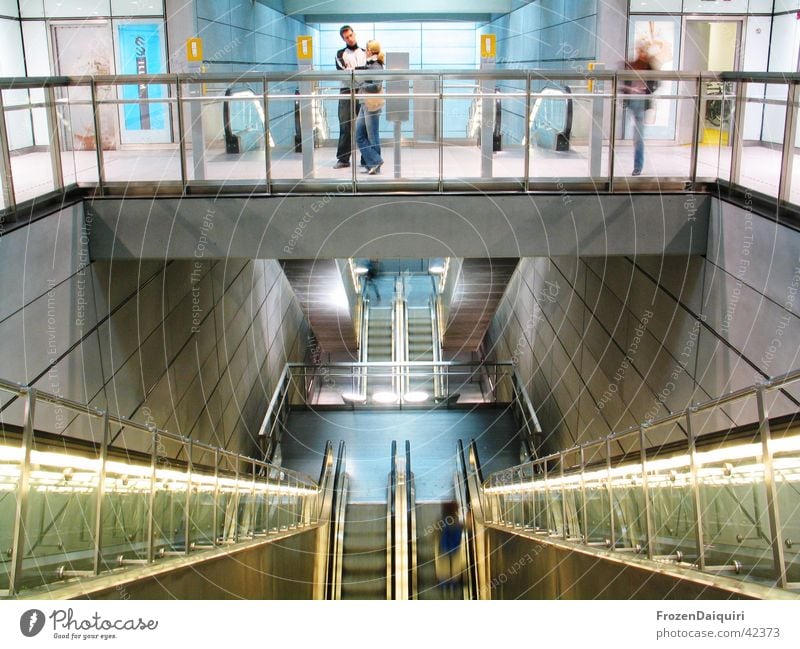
[762,137]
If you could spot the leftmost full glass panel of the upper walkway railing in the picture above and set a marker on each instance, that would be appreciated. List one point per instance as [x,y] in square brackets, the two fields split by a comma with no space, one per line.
[29,145]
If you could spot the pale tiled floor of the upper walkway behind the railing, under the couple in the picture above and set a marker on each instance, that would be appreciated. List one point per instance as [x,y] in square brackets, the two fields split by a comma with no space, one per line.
[760,167]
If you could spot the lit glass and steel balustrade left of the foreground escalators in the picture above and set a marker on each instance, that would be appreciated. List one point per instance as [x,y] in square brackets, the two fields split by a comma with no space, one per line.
[76,508]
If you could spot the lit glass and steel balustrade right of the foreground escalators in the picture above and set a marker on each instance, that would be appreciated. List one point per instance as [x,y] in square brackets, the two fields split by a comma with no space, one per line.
[674,489]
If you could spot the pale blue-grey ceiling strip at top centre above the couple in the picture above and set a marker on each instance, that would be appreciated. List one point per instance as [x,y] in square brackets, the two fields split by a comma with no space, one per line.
[350,11]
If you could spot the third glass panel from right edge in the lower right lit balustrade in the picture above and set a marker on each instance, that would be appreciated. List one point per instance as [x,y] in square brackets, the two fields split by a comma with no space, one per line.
[670,493]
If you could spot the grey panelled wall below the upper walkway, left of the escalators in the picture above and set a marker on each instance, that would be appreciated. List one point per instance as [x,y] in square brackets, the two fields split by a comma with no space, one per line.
[192,346]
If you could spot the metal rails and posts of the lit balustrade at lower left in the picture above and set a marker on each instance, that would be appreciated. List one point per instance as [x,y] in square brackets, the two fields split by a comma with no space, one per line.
[241,481]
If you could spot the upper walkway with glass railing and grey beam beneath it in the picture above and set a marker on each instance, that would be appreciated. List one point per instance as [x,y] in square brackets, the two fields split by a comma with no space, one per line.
[564,138]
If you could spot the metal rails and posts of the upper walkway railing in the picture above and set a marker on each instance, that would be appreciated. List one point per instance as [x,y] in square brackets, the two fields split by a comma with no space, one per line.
[181,93]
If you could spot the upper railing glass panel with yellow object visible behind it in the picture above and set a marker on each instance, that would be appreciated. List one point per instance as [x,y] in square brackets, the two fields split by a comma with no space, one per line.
[715,136]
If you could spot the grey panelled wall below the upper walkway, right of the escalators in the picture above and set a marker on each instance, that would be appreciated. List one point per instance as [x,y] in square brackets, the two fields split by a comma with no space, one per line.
[606,343]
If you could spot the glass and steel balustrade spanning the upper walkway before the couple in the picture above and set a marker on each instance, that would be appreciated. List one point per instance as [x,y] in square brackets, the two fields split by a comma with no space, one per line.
[76,110]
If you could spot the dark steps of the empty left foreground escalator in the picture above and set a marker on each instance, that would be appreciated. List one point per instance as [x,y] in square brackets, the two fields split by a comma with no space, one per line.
[364,555]
